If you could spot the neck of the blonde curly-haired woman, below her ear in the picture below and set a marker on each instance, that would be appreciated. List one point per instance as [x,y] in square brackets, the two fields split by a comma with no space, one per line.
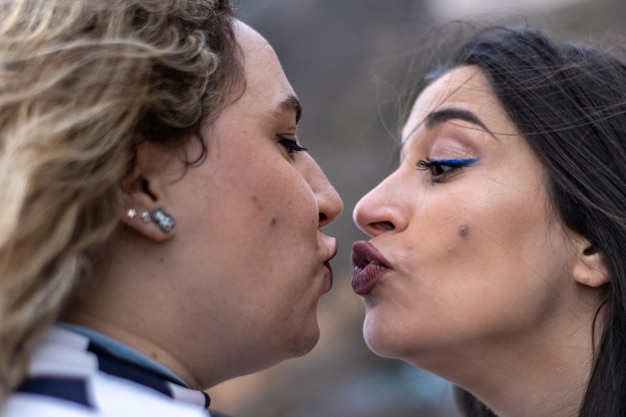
[135,297]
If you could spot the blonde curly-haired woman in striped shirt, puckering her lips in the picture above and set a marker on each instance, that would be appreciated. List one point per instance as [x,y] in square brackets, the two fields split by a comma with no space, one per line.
[161,224]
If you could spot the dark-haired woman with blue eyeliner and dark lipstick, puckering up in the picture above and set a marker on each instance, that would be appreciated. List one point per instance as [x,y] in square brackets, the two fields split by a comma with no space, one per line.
[497,251]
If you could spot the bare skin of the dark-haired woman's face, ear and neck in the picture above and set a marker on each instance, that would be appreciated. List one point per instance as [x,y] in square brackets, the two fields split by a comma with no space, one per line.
[488,290]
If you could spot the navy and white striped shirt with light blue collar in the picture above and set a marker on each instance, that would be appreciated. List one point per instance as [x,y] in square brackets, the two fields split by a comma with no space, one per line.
[71,375]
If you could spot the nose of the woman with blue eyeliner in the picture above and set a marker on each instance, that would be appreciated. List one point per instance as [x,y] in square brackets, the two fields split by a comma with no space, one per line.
[382,209]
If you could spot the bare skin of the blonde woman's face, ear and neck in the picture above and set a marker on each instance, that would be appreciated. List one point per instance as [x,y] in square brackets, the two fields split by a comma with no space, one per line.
[234,287]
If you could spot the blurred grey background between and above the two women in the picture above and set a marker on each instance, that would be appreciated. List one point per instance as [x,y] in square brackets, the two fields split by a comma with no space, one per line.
[344,59]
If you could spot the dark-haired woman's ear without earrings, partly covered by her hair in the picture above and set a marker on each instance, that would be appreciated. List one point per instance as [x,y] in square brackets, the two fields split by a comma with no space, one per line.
[589,268]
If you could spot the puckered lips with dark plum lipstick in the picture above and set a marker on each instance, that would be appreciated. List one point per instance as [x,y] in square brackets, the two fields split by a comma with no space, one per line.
[368,267]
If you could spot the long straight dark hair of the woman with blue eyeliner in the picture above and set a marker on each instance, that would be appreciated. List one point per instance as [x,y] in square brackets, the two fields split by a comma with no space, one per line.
[569,102]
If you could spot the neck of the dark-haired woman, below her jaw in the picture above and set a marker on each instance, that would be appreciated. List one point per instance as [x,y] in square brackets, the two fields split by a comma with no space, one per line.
[541,376]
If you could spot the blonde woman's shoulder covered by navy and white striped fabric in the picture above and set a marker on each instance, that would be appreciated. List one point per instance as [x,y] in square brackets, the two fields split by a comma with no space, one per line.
[65,380]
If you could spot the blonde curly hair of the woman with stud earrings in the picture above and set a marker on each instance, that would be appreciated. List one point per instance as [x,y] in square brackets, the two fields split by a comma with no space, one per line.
[81,83]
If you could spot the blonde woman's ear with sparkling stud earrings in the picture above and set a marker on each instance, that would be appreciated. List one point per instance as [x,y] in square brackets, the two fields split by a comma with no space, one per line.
[144,199]
